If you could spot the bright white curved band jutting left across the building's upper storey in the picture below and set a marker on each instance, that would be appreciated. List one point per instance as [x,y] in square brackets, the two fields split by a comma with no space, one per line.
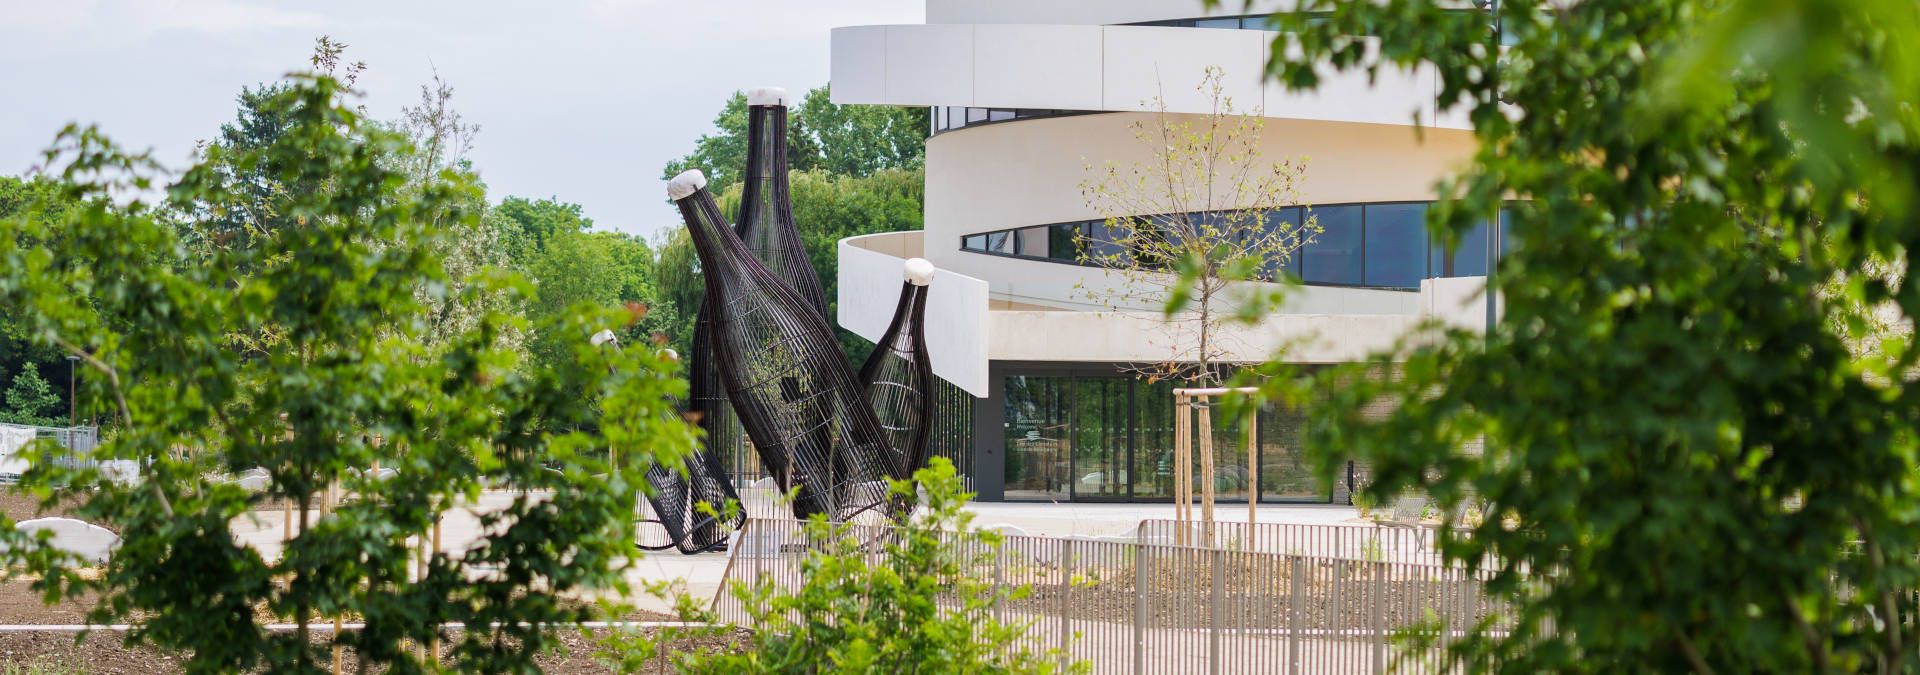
[1109,68]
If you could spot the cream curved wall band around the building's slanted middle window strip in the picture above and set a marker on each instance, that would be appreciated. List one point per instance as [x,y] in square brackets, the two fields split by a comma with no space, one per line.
[1030,174]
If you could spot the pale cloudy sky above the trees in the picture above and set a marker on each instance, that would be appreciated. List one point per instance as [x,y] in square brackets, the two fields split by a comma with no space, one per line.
[581,101]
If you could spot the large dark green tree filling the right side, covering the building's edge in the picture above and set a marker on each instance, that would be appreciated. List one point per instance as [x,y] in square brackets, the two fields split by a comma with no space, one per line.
[1685,467]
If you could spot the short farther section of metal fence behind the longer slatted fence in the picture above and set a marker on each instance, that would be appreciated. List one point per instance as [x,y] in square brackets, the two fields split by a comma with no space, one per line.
[1360,542]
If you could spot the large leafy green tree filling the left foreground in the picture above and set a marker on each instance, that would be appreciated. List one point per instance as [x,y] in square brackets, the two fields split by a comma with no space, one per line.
[149,317]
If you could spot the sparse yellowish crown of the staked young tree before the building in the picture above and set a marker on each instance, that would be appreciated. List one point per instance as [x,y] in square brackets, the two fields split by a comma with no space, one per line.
[1195,227]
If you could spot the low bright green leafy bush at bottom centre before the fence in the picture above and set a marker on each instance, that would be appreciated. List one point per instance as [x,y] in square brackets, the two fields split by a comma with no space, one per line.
[865,613]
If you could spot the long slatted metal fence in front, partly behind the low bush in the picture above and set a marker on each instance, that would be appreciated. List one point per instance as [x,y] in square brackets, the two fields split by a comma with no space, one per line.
[1163,609]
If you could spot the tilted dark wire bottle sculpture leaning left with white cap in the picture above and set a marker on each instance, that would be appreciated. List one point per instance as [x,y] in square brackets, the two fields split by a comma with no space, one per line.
[782,369]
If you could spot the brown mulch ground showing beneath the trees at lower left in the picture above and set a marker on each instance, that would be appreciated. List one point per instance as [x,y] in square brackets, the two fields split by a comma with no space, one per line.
[105,653]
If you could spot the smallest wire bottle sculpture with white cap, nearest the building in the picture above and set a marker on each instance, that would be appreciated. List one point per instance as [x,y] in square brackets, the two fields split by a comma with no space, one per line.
[900,377]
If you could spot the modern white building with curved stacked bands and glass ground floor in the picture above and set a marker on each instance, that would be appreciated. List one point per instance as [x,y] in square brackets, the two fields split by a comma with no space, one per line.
[1026,95]
